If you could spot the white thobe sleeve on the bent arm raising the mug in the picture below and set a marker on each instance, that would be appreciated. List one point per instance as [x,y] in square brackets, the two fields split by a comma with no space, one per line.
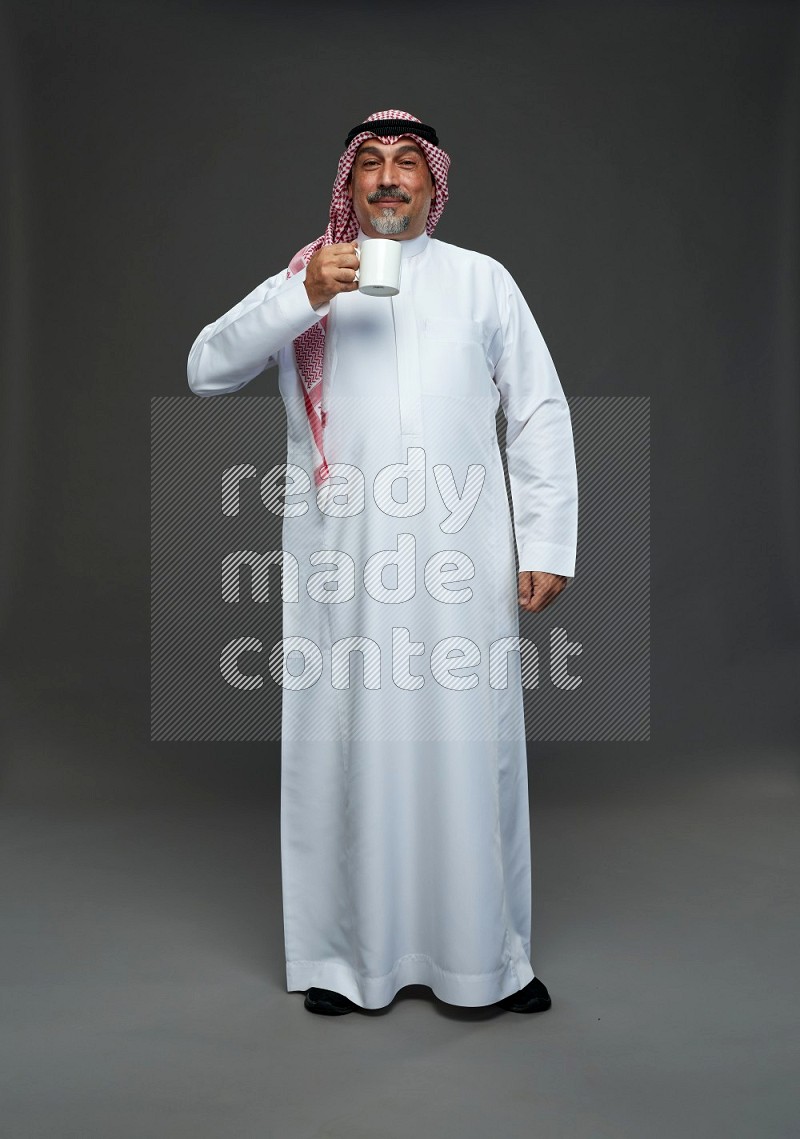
[238,348]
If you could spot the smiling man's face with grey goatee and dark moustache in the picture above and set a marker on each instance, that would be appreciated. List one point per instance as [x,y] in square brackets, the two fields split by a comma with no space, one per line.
[391,189]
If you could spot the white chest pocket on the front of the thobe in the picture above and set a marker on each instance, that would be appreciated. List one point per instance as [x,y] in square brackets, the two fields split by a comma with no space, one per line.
[453,358]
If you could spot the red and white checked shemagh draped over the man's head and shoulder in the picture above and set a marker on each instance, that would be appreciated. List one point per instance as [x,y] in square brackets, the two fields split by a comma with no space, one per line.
[344,227]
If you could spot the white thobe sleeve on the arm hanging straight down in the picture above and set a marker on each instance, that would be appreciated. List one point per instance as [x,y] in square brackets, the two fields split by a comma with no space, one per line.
[540,446]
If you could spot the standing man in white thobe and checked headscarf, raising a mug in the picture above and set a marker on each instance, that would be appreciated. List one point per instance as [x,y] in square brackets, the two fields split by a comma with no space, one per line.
[405,824]
